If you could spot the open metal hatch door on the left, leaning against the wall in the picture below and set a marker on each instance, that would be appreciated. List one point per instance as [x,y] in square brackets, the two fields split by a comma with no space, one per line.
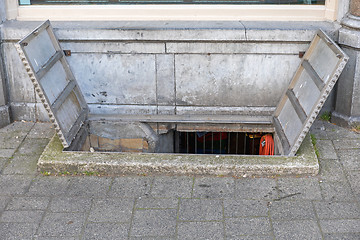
[45,62]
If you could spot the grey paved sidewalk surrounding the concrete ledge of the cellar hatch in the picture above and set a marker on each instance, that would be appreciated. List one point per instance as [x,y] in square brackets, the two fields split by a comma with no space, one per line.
[34,206]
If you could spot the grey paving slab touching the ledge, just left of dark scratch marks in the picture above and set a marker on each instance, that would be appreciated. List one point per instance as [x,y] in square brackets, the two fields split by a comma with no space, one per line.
[255,188]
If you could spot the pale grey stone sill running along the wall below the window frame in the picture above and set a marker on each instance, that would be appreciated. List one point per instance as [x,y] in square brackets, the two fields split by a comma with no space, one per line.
[176,30]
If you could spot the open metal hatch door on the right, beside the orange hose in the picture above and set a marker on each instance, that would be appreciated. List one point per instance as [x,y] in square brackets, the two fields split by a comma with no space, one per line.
[317,74]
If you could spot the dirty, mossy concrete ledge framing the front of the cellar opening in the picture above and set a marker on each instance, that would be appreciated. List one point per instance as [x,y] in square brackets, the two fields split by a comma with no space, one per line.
[54,160]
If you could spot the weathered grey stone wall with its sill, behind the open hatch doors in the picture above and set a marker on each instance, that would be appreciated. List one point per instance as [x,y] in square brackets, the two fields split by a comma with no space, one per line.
[169,67]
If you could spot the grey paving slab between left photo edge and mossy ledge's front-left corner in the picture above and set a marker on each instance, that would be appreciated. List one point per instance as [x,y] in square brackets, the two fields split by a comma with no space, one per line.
[22,164]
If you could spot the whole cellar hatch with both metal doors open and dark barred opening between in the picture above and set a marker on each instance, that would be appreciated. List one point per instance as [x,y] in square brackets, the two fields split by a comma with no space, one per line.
[80,129]
